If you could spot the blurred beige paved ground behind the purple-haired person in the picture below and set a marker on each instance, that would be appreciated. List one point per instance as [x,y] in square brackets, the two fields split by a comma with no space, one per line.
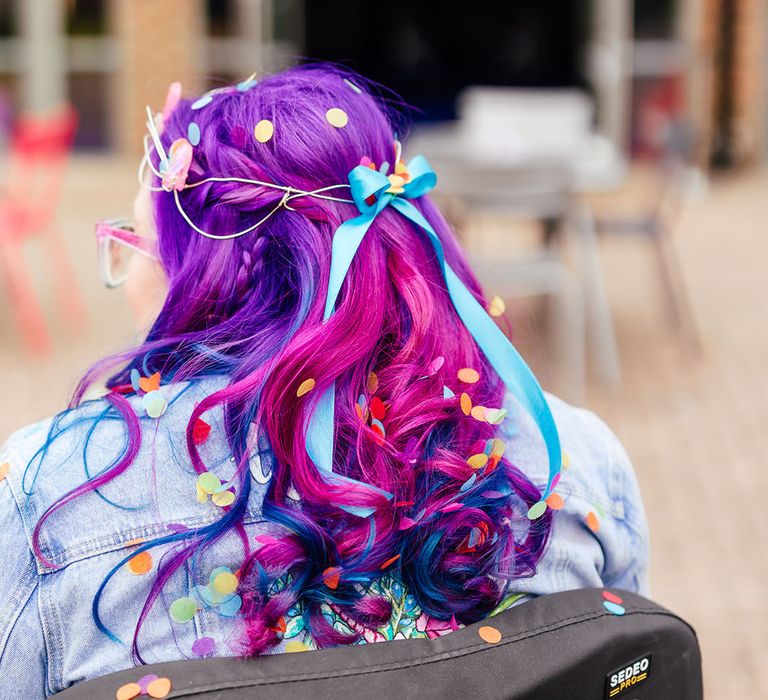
[695,426]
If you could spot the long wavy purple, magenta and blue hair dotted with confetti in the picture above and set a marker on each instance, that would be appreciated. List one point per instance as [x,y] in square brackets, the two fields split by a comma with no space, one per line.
[252,307]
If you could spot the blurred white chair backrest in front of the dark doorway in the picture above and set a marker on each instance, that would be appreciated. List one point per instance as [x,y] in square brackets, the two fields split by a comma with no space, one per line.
[511,124]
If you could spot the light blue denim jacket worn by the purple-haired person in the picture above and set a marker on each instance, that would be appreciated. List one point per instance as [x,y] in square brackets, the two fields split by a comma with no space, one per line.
[48,639]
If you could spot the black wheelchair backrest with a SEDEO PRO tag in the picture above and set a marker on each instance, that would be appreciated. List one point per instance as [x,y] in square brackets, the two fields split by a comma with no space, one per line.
[575,644]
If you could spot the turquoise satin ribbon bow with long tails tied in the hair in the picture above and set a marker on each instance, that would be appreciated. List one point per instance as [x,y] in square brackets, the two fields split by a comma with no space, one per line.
[372,192]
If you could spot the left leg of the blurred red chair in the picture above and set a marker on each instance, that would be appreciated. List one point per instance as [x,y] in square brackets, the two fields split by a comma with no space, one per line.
[23,301]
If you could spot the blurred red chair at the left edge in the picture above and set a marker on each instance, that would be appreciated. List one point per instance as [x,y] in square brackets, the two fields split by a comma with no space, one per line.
[38,153]
